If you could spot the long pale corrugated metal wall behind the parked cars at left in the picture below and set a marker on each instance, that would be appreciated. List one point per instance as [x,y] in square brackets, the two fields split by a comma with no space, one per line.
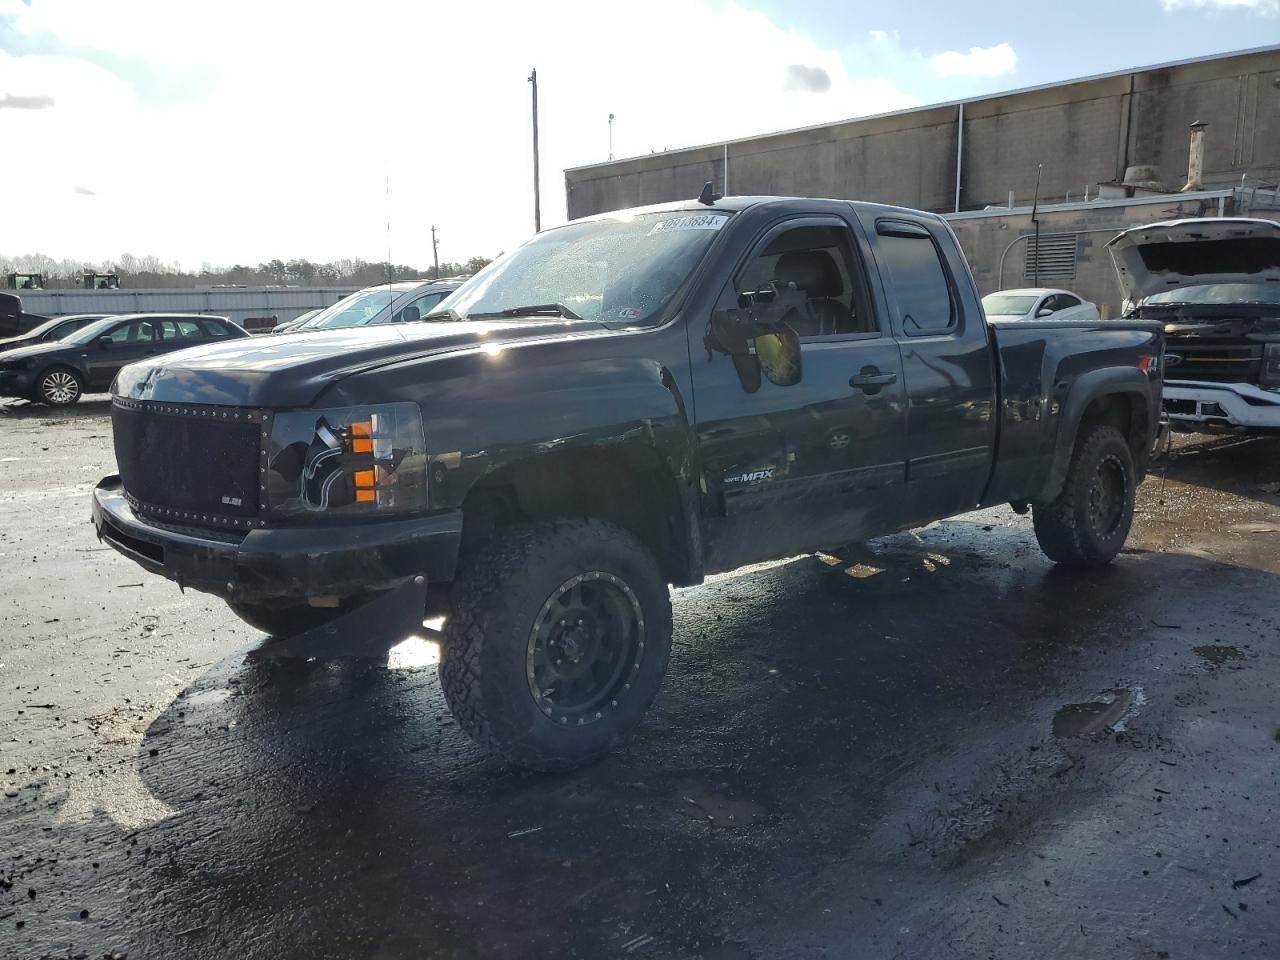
[239,304]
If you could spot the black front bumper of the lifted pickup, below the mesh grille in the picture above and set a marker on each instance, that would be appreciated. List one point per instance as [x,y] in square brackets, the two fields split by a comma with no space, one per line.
[285,564]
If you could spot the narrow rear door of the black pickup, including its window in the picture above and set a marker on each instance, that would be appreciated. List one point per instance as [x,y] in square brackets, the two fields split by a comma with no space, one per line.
[948,363]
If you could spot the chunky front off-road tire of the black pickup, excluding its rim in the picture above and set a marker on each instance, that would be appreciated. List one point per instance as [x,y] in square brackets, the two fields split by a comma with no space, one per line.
[499,598]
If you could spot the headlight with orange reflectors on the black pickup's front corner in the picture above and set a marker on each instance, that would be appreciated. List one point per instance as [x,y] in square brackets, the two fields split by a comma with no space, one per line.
[348,461]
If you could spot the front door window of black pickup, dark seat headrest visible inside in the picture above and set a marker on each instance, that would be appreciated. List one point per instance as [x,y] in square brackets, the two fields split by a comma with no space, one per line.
[820,263]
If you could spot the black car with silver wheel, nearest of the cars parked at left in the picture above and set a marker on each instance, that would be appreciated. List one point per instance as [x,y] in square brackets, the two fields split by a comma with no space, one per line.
[90,359]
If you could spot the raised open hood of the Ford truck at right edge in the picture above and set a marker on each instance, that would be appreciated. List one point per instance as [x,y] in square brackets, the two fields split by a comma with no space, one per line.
[1174,254]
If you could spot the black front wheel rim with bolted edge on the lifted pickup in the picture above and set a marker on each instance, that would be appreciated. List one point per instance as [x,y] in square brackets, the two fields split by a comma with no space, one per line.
[586,648]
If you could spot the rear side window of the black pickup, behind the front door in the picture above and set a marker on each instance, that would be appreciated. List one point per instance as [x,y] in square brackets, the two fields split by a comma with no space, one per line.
[915,268]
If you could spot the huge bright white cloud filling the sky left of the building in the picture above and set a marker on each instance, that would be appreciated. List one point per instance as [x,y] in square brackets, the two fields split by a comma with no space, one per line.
[301,117]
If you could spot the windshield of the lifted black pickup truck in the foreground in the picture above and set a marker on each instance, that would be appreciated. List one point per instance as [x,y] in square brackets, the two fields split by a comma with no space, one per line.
[614,271]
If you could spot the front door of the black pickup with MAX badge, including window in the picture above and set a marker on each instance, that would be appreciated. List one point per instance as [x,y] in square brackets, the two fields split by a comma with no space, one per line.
[822,461]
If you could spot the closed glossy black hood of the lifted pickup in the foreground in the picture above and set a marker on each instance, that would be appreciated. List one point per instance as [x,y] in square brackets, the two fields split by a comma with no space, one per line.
[290,371]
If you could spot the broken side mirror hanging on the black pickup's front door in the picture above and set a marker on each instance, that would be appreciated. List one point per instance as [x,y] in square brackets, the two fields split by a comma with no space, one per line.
[758,337]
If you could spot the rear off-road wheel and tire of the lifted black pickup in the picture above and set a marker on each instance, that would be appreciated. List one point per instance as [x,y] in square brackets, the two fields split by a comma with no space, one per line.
[1071,529]
